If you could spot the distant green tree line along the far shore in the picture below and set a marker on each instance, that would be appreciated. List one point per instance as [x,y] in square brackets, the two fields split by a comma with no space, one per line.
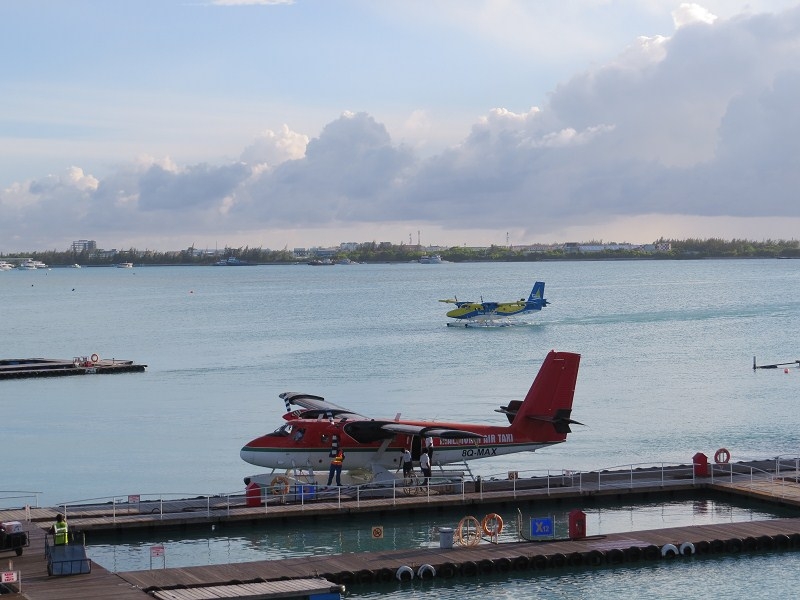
[377,253]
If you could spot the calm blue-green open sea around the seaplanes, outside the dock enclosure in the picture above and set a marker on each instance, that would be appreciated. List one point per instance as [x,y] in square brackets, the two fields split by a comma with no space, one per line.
[666,371]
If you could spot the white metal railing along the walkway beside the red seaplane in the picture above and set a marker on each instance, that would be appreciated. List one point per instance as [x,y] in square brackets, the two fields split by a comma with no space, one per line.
[628,477]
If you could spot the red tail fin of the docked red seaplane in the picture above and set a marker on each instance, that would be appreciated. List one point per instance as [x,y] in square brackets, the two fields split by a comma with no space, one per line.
[549,400]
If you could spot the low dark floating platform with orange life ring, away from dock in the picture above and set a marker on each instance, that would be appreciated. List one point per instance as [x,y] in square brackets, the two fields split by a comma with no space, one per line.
[19,368]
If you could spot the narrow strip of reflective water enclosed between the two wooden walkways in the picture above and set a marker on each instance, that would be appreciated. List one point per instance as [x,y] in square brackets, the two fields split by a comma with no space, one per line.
[319,536]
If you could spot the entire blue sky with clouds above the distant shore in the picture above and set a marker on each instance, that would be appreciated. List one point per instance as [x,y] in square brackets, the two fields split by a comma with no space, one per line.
[165,123]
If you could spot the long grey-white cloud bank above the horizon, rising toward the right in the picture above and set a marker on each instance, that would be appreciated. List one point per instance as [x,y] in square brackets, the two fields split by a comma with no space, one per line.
[683,129]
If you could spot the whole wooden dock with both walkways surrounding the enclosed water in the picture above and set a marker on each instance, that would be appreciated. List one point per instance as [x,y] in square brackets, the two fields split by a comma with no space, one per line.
[772,535]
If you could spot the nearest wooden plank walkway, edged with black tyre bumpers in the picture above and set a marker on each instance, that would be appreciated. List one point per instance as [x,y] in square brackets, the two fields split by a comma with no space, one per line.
[348,568]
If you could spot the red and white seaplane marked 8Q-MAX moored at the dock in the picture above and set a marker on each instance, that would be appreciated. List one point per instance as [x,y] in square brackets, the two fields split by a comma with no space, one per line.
[315,431]
